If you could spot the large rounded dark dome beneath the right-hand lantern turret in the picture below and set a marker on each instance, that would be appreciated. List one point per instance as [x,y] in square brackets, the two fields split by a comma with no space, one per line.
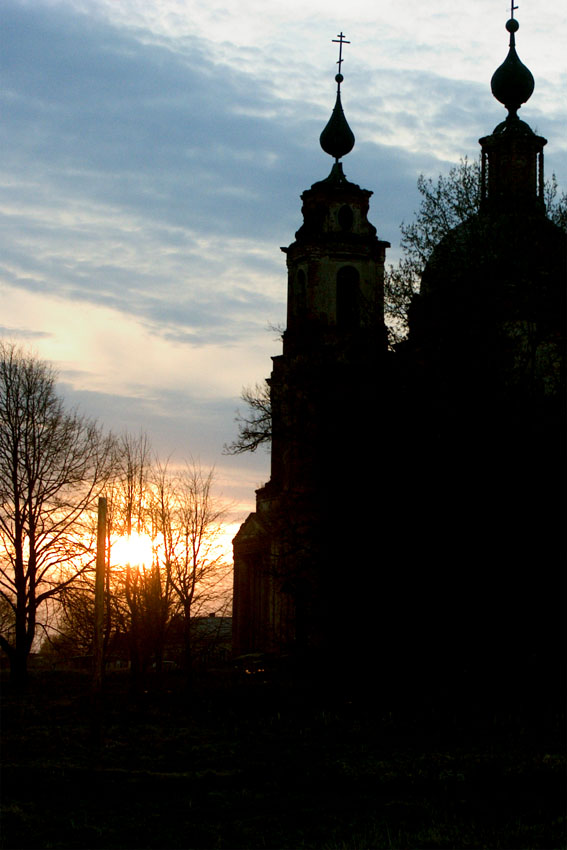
[492,299]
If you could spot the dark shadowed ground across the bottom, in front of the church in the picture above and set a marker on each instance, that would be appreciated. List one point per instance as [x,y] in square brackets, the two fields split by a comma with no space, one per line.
[256,761]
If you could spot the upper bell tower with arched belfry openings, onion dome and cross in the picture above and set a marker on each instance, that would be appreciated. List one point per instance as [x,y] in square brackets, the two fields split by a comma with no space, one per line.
[336,264]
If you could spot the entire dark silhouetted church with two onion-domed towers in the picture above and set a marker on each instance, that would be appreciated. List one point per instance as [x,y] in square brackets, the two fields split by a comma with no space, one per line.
[415,511]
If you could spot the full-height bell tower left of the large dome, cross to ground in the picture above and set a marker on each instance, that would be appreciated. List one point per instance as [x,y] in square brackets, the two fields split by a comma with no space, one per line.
[324,391]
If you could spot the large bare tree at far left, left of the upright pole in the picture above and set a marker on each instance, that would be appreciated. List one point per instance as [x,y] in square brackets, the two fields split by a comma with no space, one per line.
[53,465]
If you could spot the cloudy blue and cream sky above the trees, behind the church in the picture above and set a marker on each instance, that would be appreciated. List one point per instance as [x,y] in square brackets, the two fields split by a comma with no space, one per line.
[153,154]
